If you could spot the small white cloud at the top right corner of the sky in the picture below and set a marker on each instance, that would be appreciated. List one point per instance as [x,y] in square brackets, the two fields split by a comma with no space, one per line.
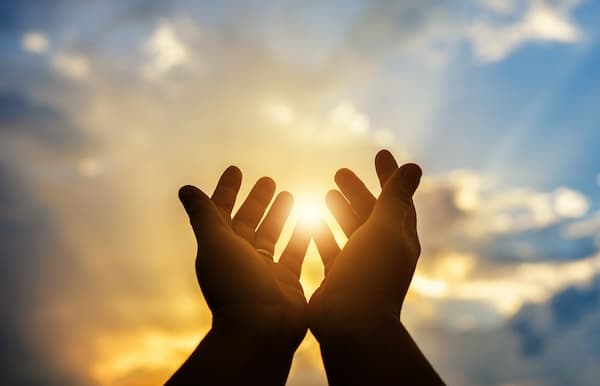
[542,21]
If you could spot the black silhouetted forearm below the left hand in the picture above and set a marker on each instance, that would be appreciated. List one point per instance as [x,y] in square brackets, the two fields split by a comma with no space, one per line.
[224,358]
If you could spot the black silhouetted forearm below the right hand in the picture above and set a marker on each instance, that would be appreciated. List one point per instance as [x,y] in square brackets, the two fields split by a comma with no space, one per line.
[387,356]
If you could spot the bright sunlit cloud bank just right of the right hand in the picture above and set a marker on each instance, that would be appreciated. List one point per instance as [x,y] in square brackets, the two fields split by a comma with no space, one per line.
[499,247]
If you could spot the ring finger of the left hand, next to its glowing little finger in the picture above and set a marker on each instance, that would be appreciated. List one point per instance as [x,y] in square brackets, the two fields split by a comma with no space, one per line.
[270,229]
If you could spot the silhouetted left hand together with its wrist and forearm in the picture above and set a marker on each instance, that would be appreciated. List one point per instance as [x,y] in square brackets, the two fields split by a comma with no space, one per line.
[258,305]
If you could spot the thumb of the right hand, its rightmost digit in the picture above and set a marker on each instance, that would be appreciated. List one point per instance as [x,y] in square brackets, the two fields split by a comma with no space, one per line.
[396,197]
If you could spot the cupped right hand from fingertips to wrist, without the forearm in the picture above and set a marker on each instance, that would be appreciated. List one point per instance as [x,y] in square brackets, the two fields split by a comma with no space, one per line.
[366,282]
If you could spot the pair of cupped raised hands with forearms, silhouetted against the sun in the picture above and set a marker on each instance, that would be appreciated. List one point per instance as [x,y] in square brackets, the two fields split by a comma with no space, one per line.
[260,313]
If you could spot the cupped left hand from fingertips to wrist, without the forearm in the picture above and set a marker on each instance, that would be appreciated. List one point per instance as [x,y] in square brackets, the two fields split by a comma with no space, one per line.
[249,294]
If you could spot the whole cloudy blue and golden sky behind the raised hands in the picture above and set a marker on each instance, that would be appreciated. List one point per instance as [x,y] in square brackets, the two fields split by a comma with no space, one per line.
[107,108]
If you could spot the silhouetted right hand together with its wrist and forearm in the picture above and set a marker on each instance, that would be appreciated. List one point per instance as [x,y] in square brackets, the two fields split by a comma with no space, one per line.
[355,313]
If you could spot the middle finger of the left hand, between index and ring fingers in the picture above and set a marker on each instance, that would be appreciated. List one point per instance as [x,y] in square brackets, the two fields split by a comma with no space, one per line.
[248,216]
